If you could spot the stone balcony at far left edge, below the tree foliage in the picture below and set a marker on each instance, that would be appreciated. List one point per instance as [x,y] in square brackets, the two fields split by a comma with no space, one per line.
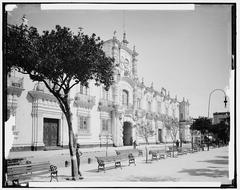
[14,85]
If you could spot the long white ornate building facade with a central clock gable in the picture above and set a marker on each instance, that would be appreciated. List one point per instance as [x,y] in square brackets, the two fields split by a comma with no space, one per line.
[99,117]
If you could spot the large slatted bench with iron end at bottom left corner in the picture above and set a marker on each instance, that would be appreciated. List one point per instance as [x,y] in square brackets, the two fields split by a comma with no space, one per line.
[16,174]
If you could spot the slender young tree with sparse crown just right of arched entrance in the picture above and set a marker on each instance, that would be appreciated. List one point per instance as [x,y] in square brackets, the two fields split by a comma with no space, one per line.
[145,130]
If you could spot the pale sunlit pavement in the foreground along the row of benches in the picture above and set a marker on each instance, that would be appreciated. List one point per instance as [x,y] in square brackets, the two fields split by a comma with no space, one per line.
[204,166]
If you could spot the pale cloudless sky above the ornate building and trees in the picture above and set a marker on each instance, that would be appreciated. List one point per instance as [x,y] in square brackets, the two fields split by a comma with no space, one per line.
[186,52]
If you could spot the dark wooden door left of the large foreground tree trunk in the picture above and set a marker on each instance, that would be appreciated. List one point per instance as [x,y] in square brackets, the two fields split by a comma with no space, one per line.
[50,132]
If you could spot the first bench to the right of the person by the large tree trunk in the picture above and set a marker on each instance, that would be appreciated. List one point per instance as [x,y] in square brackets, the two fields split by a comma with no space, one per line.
[102,161]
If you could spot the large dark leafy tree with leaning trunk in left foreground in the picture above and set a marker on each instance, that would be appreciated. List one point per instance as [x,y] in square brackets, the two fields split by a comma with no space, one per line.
[61,60]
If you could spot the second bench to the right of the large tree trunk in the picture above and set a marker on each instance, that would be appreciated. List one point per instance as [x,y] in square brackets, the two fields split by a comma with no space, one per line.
[129,154]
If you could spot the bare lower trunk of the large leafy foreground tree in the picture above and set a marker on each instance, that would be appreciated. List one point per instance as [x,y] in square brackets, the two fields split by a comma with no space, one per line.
[72,145]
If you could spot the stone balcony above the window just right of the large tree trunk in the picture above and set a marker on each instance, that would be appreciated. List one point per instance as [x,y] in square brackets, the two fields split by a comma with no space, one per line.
[84,101]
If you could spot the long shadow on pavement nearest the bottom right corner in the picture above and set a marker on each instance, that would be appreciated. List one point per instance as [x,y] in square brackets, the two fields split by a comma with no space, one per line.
[206,172]
